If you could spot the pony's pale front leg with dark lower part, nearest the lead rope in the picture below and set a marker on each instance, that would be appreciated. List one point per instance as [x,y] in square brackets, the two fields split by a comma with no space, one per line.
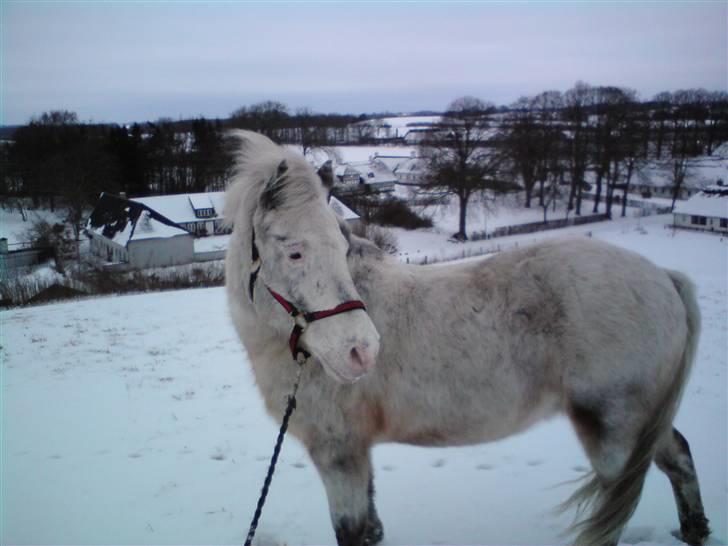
[346,473]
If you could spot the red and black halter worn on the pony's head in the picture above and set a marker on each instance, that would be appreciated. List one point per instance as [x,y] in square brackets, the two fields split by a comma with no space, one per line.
[300,318]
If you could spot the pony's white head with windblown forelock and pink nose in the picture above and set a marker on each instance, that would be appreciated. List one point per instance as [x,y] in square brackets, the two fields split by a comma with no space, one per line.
[279,205]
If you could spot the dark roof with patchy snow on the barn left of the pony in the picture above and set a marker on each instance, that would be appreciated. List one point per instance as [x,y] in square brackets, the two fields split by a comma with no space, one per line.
[122,220]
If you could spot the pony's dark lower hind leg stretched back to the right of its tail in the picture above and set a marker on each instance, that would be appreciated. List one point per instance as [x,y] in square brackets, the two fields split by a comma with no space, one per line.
[674,459]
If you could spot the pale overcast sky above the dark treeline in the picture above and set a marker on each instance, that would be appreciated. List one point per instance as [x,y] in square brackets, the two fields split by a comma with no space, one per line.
[126,61]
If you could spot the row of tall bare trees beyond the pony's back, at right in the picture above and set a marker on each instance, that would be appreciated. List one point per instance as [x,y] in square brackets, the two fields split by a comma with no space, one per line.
[556,142]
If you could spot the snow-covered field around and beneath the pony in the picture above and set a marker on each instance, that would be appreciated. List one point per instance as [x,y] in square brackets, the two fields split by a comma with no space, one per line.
[135,420]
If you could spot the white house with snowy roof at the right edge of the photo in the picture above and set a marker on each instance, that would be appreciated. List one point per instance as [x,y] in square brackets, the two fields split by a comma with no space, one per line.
[707,210]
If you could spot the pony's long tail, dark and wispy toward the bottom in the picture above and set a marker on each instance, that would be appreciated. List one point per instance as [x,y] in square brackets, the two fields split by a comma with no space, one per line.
[614,503]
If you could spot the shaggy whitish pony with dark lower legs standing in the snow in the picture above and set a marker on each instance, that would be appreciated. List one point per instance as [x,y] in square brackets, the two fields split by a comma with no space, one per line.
[459,354]
